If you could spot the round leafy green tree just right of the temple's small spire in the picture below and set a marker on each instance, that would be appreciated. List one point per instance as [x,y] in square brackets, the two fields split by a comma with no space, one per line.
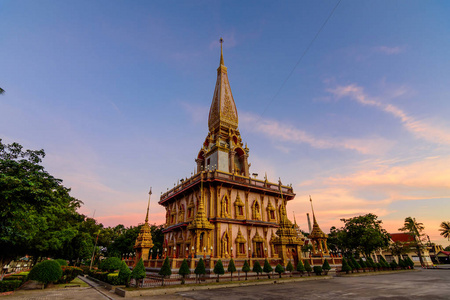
[362,234]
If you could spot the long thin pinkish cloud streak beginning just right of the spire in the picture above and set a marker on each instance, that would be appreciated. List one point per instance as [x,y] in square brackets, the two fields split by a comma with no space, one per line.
[288,133]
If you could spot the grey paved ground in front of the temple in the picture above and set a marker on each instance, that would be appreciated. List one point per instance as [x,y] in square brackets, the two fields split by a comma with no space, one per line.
[423,284]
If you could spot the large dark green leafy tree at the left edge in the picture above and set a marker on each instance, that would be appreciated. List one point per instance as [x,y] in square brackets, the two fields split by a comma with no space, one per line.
[37,214]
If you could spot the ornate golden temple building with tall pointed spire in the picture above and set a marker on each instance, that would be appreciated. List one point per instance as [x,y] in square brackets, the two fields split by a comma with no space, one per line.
[221,211]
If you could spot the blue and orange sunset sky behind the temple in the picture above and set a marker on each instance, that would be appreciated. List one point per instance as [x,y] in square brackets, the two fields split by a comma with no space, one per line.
[118,94]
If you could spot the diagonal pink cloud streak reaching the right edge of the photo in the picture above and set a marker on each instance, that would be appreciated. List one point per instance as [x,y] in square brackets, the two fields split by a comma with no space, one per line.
[420,128]
